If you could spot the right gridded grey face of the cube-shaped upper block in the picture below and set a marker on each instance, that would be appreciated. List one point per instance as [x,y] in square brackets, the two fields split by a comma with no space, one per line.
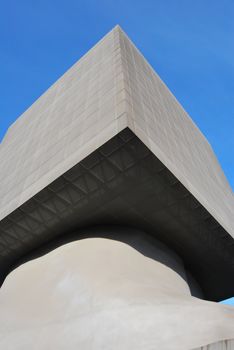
[157,118]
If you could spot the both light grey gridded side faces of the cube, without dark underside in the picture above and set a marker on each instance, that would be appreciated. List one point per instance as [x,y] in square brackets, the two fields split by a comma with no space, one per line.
[112,87]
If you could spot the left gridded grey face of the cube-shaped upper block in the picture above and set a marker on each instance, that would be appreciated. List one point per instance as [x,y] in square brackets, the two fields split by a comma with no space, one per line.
[80,112]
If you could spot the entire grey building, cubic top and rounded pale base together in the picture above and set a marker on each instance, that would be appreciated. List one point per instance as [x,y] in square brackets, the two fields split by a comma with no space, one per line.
[117,225]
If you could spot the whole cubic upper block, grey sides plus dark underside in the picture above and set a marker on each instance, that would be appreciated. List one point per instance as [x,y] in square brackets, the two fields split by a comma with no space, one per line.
[109,144]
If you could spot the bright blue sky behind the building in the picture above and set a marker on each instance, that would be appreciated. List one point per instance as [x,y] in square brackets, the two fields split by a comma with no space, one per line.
[189,43]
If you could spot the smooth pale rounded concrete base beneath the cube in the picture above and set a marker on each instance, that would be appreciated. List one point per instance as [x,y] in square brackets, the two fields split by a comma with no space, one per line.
[99,293]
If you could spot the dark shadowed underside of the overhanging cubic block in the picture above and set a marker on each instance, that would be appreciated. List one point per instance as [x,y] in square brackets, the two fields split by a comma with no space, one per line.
[124,183]
